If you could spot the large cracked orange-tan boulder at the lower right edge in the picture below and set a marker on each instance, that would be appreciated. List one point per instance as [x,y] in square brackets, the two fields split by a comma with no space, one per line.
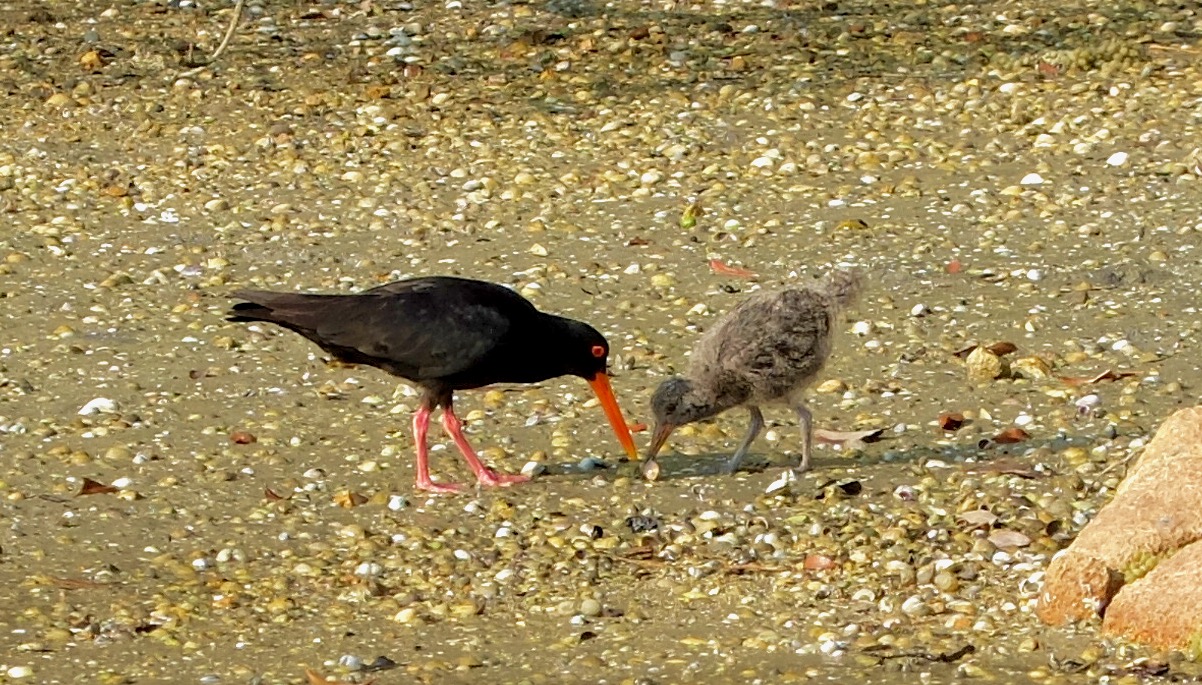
[1156,516]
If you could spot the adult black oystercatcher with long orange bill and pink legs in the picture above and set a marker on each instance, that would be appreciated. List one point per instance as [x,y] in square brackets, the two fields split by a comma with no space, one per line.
[445,335]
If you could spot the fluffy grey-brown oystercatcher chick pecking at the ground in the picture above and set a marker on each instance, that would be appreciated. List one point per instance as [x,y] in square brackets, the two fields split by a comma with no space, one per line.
[766,350]
